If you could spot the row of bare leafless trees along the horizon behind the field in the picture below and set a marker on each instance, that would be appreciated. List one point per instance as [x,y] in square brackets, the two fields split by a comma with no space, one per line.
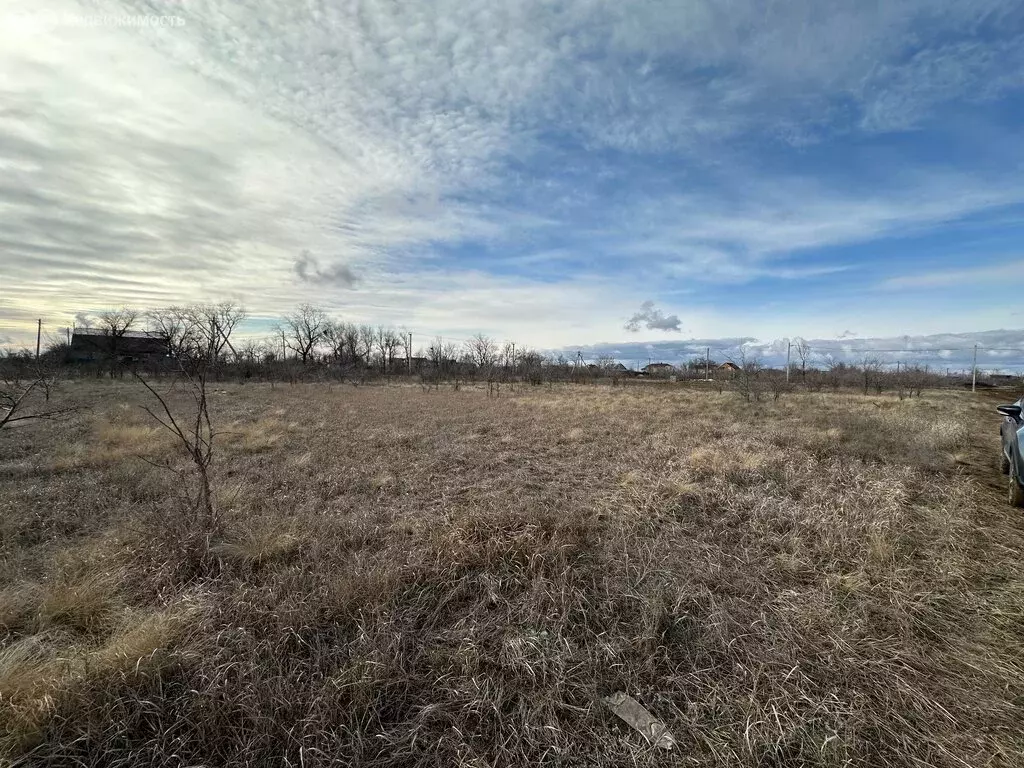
[311,344]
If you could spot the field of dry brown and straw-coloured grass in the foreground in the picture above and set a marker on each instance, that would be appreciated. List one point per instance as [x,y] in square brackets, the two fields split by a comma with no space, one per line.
[409,578]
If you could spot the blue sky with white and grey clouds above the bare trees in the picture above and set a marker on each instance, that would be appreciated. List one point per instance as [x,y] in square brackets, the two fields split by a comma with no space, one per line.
[578,175]
